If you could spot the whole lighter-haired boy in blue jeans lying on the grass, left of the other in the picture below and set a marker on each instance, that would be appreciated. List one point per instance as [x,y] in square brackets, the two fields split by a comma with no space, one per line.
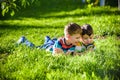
[64,45]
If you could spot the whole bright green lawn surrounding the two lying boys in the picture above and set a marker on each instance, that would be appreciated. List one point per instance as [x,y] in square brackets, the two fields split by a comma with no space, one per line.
[35,22]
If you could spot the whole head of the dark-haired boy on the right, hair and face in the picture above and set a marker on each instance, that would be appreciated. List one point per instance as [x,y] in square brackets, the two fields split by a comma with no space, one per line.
[87,34]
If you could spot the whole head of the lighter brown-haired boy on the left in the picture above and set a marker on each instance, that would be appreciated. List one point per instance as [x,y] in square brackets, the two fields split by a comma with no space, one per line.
[72,33]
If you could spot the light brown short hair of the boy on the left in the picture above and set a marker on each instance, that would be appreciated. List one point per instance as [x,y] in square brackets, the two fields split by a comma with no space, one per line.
[72,29]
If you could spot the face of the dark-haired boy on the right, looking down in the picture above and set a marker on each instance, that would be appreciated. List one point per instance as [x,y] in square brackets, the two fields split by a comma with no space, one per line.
[86,39]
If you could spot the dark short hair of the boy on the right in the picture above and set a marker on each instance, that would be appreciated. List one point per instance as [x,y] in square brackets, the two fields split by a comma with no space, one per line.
[87,29]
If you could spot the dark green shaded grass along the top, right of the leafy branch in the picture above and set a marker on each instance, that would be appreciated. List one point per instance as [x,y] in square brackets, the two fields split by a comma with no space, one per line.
[41,7]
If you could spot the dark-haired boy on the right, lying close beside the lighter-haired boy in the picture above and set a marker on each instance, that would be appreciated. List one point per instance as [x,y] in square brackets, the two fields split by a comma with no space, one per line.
[87,42]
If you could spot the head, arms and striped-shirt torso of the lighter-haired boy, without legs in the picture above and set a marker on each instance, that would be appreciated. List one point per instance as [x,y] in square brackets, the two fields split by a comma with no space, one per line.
[66,44]
